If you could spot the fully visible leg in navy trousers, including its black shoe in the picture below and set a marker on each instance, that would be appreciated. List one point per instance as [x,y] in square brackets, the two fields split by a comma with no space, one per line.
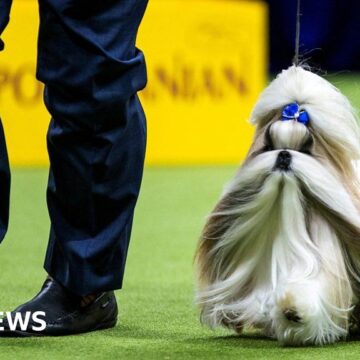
[96,141]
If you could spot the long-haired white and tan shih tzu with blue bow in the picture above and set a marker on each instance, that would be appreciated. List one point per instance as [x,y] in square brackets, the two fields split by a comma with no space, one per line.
[281,250]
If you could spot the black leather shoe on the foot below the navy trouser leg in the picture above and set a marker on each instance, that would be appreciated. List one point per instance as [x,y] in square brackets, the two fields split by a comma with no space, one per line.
[63,313]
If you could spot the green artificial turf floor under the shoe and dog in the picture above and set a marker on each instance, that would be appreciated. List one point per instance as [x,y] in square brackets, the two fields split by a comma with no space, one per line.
[157,317]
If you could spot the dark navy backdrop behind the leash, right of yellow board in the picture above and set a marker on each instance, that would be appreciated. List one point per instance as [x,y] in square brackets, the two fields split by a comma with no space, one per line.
[330,33]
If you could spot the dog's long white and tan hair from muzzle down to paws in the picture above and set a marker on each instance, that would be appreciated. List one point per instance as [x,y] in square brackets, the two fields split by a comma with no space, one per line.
[268,249]
